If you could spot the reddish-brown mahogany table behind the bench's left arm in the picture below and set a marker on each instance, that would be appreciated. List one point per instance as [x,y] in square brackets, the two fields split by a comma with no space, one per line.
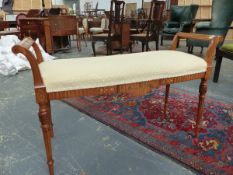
[51,31]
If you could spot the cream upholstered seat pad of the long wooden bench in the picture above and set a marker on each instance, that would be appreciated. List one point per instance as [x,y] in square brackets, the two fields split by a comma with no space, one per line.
[83,73]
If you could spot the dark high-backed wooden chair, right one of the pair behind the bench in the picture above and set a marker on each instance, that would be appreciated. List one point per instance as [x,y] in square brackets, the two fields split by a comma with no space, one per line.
[153,26]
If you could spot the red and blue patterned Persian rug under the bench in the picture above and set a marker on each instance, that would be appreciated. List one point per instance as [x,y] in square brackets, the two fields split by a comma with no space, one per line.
[142,119]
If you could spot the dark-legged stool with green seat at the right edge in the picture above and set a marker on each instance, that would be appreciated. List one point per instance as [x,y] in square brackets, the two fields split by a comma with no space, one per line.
[225,51]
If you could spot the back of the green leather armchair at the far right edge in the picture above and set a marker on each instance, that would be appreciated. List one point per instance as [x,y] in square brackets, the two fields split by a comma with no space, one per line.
[222,14]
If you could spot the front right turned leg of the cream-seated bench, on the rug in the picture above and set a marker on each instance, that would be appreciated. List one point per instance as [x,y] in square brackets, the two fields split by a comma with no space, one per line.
[202,93]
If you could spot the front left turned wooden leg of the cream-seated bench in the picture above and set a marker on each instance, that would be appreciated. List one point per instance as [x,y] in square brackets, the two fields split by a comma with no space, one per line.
[46,130]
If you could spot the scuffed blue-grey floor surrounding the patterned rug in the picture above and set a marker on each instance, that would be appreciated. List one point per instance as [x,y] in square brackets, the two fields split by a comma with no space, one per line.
[81,144]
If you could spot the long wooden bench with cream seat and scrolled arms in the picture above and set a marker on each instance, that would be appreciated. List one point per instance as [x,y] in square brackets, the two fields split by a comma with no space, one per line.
[65,78]
